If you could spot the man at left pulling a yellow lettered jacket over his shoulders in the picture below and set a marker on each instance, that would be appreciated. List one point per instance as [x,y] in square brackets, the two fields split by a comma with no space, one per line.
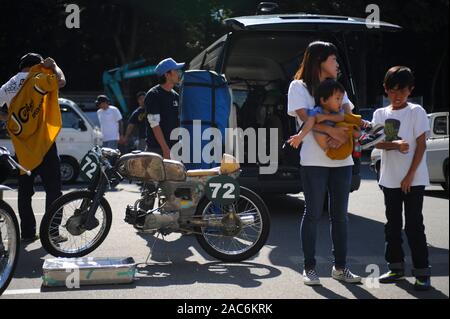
[34,121]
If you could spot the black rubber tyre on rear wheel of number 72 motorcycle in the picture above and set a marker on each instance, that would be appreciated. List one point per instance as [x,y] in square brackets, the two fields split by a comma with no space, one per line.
[265,219]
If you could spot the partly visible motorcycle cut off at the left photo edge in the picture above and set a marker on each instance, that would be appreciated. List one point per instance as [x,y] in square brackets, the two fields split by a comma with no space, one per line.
[9,226]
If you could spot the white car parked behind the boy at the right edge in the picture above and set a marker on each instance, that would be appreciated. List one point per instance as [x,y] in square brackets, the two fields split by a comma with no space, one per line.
[437,150]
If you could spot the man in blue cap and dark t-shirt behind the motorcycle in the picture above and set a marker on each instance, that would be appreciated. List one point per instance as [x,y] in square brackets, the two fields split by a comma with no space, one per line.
[161,104]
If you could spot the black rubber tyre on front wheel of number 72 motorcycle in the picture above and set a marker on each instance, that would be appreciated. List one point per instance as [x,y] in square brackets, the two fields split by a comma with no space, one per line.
[55,207]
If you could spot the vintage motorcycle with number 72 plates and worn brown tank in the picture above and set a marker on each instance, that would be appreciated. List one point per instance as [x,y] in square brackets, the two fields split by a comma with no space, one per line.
[173,200]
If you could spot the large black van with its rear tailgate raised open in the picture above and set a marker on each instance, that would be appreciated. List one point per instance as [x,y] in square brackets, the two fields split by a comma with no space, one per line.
[259,58]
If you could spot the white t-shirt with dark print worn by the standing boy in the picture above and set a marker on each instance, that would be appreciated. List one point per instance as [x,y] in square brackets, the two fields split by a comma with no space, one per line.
[394,164]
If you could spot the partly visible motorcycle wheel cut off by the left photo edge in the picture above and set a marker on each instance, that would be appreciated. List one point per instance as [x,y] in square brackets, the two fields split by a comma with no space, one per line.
[9,245]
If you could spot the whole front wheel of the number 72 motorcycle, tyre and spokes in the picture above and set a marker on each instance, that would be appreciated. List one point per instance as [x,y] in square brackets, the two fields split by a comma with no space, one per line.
[62,231]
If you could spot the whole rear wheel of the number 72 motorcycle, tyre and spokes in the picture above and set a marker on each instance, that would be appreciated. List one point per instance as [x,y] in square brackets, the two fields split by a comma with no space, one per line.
[246,242]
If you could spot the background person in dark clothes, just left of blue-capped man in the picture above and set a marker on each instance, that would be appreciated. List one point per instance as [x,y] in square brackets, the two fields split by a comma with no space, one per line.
[137,120]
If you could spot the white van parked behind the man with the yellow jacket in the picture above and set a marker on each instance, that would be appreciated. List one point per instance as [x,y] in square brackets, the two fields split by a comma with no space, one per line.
[78,135]
